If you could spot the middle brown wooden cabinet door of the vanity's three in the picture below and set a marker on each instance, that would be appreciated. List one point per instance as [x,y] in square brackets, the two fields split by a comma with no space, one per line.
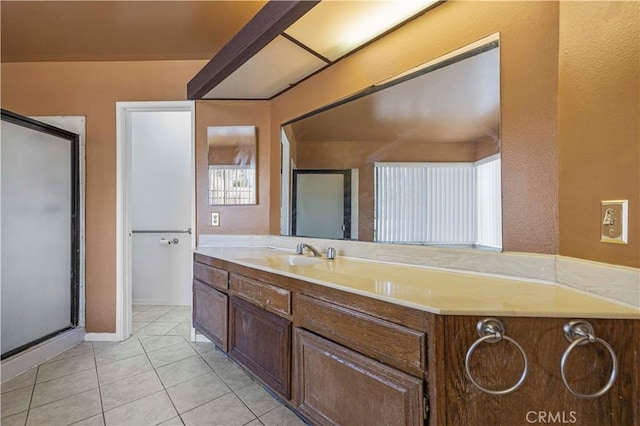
[261,342]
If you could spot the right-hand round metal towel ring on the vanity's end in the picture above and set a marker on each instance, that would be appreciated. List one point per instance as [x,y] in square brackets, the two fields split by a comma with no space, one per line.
[580,332]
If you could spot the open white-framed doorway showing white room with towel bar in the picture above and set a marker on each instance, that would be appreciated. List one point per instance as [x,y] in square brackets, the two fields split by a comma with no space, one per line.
[155,207]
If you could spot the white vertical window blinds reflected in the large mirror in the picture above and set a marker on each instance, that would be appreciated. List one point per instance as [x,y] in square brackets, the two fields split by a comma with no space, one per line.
[439,203]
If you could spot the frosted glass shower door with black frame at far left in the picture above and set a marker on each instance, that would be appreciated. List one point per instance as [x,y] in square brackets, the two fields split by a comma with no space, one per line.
[40,235]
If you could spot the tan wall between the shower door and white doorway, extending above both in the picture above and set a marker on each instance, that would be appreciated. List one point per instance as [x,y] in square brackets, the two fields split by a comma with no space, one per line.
[91,89]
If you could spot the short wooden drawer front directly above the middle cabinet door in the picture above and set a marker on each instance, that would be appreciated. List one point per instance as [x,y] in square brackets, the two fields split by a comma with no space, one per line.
[269,297]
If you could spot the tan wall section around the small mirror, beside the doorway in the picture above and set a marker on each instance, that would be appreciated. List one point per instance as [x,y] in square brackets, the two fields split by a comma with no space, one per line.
[252,219]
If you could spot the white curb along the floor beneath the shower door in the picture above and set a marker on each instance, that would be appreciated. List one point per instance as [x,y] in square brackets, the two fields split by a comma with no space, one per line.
[41,352]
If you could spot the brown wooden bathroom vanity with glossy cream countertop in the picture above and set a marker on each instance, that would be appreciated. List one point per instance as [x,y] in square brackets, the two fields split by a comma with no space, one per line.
[349,341]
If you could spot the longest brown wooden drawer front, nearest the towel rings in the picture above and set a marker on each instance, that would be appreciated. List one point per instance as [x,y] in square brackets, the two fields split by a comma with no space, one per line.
[390,343]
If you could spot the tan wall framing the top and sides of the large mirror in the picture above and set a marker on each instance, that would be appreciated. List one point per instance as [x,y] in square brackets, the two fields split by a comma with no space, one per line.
[529,83]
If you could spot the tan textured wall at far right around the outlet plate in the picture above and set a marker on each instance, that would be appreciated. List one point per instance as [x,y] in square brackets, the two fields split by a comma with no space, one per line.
[598,125]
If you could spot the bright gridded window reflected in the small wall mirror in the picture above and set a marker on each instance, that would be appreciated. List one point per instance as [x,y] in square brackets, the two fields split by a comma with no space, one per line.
[232,185]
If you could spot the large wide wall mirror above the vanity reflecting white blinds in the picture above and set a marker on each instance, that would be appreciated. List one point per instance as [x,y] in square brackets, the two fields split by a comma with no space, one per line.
[411,160]
